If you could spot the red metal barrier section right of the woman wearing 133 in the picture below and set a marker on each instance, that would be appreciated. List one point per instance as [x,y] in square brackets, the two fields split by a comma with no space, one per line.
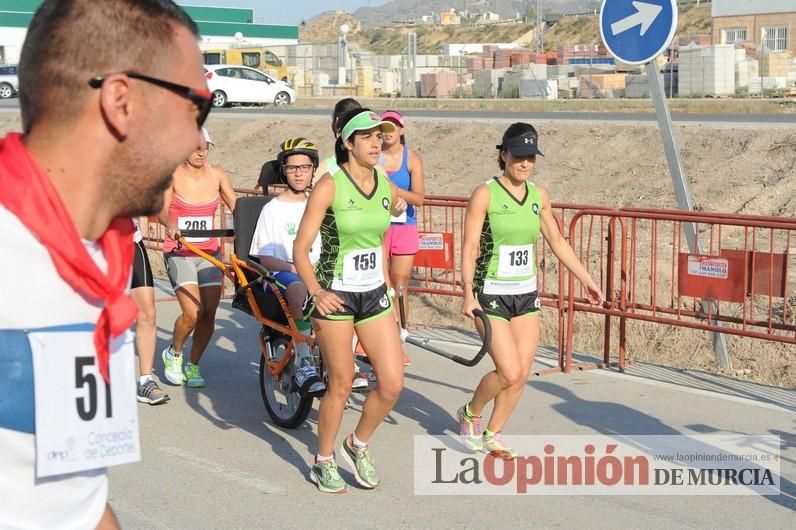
[741,283]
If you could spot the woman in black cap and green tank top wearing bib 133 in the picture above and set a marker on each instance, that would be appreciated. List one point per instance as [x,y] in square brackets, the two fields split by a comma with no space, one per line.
[504,218]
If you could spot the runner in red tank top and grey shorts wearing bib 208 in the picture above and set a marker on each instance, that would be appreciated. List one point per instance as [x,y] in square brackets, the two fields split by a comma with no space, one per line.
[191,203]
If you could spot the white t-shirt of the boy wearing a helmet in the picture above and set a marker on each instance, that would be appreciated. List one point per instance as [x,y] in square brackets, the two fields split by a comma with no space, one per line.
[276,229]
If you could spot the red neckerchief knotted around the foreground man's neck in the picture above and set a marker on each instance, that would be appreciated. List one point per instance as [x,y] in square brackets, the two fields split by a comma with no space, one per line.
[29,195]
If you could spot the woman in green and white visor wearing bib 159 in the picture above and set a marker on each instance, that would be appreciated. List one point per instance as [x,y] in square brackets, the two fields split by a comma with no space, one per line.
[348,289]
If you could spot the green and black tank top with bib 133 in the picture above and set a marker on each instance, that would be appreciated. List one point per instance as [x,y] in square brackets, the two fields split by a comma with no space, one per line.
[507,261]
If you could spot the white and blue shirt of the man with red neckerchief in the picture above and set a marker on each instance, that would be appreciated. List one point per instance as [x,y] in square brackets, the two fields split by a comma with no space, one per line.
[75,500]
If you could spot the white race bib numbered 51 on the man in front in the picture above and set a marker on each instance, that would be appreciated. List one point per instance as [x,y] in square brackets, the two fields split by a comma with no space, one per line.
[82,424]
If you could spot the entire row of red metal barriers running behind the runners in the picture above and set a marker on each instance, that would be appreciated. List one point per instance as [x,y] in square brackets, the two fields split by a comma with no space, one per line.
[741,283]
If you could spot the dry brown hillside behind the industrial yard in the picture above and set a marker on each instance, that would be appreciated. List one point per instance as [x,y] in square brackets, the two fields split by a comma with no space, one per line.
[392,40]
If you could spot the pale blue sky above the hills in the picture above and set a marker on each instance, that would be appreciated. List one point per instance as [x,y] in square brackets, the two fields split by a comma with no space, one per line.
[286,12]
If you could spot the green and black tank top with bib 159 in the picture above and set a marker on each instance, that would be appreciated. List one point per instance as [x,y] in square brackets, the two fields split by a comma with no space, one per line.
[352,234]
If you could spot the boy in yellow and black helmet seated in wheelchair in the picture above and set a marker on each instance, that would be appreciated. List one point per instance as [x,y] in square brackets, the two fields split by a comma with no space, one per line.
[272,243]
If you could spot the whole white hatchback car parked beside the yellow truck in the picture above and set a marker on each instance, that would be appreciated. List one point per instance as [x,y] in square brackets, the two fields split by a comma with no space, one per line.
[231,83]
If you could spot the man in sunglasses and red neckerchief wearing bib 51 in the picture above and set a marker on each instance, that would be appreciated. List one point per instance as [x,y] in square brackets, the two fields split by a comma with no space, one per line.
[111,93]
